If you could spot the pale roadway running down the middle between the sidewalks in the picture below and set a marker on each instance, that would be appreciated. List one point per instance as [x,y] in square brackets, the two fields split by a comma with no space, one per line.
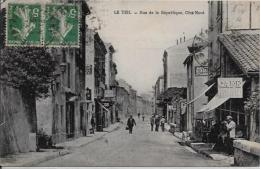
[142,148]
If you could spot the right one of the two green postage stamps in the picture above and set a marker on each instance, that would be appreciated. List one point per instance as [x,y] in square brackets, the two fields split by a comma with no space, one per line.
[61,25]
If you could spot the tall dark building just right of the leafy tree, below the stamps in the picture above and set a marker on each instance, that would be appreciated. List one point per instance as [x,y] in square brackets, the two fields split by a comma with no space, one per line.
[63,115]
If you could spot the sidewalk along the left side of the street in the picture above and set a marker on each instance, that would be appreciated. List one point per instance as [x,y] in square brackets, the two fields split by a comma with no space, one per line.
[34,158]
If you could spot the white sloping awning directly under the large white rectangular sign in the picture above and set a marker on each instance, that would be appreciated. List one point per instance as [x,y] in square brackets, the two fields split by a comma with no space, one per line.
[213,104]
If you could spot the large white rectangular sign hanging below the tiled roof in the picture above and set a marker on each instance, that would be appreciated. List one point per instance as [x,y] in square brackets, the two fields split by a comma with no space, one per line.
[230,87]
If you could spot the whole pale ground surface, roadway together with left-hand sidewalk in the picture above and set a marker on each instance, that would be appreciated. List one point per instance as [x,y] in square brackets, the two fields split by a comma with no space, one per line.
[116,147]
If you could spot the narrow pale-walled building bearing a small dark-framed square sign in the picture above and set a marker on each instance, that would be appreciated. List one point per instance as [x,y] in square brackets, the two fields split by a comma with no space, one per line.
[197,75]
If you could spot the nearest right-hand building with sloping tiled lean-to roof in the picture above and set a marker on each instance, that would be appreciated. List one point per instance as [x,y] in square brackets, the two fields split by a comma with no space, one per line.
[234,53]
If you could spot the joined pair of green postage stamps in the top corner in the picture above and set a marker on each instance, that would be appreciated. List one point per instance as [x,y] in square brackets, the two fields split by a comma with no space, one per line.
[49,25]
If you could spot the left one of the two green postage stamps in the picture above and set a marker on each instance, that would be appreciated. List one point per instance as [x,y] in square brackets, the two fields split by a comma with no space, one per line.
[23,27]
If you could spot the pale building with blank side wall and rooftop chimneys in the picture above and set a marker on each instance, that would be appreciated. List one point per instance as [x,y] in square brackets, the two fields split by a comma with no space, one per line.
[175,75]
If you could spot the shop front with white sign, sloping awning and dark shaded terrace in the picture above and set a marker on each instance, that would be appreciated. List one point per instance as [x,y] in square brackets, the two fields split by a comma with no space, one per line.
[228,101]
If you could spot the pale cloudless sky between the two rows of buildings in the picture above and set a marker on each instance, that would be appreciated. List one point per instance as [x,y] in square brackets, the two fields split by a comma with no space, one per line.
[140,39]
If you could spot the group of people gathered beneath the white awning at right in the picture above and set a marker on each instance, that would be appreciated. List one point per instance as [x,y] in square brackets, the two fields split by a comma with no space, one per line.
[223,135]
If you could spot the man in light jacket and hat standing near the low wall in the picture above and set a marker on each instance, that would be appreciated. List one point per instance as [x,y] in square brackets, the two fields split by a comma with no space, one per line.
[231,133]
